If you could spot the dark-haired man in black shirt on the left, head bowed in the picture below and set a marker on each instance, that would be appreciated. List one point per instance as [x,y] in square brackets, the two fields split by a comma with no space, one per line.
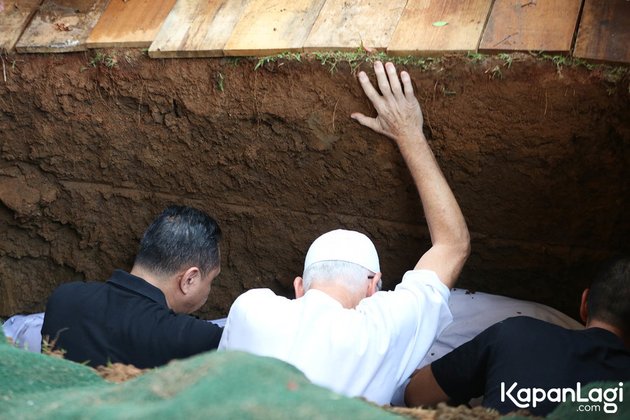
[141,318]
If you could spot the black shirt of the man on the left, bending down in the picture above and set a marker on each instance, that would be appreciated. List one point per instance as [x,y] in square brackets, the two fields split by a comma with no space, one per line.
[124,320]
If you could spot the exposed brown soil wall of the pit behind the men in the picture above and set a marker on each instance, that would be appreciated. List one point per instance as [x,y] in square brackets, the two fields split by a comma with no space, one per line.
[538,159]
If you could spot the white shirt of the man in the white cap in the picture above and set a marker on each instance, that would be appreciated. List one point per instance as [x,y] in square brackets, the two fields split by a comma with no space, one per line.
[367,351]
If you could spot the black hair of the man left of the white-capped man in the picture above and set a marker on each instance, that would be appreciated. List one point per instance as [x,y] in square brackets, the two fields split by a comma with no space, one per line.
[178,238]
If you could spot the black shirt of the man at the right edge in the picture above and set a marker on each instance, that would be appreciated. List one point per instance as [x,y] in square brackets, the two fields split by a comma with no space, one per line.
[534,354]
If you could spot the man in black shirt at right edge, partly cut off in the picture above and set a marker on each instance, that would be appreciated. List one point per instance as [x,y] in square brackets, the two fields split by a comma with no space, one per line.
[527,363]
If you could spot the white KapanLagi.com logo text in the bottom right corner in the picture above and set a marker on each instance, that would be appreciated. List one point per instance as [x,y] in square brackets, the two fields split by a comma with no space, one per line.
[531,397]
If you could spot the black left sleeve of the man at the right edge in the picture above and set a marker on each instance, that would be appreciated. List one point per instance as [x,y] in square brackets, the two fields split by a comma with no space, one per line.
[462,373]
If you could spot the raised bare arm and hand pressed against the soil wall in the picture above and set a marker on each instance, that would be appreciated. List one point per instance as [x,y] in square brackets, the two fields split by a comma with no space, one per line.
[400,118]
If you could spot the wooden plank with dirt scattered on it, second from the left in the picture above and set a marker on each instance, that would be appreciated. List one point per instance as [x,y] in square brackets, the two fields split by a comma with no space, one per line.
[61,26]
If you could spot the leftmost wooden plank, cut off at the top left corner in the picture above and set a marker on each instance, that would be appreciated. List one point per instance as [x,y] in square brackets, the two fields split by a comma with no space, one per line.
[14,16]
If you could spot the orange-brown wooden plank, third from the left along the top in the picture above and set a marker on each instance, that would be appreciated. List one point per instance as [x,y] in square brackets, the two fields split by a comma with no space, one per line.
[129,23]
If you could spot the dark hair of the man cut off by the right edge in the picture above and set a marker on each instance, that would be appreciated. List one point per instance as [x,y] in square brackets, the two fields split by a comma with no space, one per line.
[609,296]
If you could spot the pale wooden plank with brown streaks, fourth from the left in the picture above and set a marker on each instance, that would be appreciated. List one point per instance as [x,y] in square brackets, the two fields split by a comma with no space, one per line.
[197,28]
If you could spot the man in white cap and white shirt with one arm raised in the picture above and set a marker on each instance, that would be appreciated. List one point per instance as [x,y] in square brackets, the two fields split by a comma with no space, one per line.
[340,330]
